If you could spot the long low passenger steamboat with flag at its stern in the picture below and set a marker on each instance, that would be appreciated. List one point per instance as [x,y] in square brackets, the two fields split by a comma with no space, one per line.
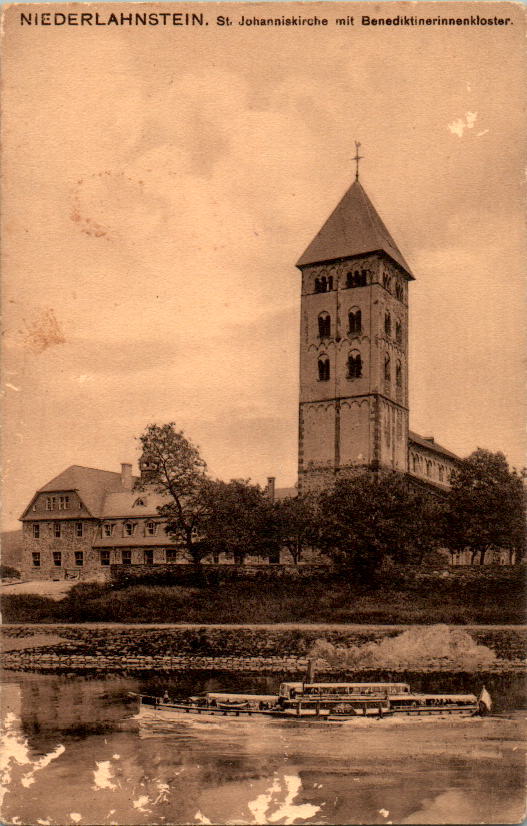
[319,701]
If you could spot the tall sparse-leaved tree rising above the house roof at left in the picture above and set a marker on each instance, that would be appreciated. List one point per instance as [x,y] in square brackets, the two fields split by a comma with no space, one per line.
[172,466]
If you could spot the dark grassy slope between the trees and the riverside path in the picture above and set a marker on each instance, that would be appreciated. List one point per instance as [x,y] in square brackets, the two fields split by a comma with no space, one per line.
[395,599]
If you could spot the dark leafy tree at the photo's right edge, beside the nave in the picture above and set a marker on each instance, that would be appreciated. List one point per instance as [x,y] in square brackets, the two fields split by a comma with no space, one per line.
[486,506]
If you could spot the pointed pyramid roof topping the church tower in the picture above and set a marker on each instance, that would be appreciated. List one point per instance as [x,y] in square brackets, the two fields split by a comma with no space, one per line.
[353,228]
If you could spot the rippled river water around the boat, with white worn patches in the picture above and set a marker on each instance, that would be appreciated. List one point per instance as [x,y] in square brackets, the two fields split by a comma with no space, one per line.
[75,753]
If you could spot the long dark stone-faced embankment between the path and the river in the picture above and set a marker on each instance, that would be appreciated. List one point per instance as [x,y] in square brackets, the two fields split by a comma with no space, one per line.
[271,648]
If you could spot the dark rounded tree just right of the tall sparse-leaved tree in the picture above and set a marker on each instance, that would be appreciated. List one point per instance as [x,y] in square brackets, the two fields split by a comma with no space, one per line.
[236,519]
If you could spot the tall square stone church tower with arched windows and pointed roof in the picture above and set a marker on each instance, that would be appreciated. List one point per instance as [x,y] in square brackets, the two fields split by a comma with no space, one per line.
[353,347]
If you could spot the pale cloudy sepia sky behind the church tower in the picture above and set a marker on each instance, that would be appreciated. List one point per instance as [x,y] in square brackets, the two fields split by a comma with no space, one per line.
[160,183]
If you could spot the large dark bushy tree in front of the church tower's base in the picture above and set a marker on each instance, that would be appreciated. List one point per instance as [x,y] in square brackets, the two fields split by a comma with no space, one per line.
[370,517]
